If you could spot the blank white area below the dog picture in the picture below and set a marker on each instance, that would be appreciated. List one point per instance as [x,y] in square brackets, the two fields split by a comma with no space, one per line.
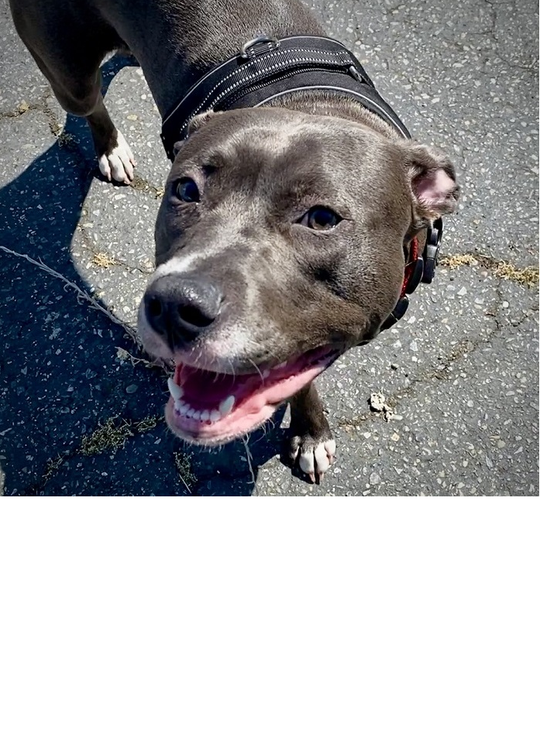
[269,626]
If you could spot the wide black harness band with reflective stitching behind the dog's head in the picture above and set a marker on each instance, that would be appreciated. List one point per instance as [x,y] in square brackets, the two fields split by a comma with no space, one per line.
[267,68]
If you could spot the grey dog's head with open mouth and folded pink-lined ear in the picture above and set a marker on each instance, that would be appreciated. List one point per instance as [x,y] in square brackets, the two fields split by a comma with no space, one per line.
[279,246]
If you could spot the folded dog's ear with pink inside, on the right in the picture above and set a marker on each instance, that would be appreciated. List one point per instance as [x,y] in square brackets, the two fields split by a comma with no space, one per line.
[432,179]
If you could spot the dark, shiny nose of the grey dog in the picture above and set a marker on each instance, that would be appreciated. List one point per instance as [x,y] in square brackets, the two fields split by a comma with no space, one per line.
[179,308]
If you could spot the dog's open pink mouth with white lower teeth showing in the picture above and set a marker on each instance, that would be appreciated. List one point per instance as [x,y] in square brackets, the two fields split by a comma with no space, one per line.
[211,407]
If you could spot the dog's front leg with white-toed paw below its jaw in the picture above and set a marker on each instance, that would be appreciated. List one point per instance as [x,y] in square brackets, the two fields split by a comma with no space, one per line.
[310,442]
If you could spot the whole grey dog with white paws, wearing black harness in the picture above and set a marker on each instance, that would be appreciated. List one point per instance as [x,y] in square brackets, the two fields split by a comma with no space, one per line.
[293,213]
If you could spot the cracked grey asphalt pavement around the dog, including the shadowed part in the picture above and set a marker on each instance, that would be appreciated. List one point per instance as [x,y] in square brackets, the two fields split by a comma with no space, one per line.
[81,411]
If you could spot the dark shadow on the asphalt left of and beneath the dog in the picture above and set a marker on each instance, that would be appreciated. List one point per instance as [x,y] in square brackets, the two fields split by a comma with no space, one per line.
[78,417]
